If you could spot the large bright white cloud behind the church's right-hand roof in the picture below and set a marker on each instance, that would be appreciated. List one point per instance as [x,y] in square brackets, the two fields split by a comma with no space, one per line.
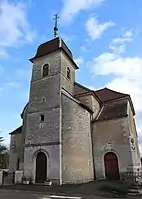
[127,72]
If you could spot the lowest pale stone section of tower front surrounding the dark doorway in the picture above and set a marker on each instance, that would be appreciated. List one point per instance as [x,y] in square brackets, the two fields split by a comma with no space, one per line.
[53,161]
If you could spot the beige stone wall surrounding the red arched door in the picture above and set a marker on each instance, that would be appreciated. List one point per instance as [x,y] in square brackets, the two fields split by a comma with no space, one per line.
[111,136]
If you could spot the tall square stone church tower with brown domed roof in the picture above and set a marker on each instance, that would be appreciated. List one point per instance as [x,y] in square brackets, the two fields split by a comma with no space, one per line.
[53,70]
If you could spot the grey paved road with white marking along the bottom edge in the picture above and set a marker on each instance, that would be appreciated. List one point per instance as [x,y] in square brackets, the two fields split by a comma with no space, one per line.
[16,194]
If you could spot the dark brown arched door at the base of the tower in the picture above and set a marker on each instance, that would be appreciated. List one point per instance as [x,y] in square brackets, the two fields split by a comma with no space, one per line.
[41,167]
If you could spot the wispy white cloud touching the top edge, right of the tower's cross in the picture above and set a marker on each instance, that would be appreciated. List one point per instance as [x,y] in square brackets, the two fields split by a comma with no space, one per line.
[73,7]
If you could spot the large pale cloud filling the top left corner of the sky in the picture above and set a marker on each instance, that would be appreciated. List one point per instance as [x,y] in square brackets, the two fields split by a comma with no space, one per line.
[14,26]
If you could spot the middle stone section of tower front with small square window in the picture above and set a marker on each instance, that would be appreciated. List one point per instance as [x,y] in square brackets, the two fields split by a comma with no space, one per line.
[47,131]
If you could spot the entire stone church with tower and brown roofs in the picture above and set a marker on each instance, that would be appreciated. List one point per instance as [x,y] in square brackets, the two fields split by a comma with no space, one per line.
[70,133]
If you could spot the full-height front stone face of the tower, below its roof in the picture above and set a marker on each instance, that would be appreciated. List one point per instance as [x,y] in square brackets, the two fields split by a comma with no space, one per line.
[45,99]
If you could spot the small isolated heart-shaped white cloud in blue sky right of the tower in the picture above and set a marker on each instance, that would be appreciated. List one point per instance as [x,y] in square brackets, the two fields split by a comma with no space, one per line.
[95,29]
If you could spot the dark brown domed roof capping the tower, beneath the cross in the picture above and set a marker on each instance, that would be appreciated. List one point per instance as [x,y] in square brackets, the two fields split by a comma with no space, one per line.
[51,46]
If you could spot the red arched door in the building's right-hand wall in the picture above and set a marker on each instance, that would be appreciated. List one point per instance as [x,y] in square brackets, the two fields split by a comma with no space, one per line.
[111,166]
